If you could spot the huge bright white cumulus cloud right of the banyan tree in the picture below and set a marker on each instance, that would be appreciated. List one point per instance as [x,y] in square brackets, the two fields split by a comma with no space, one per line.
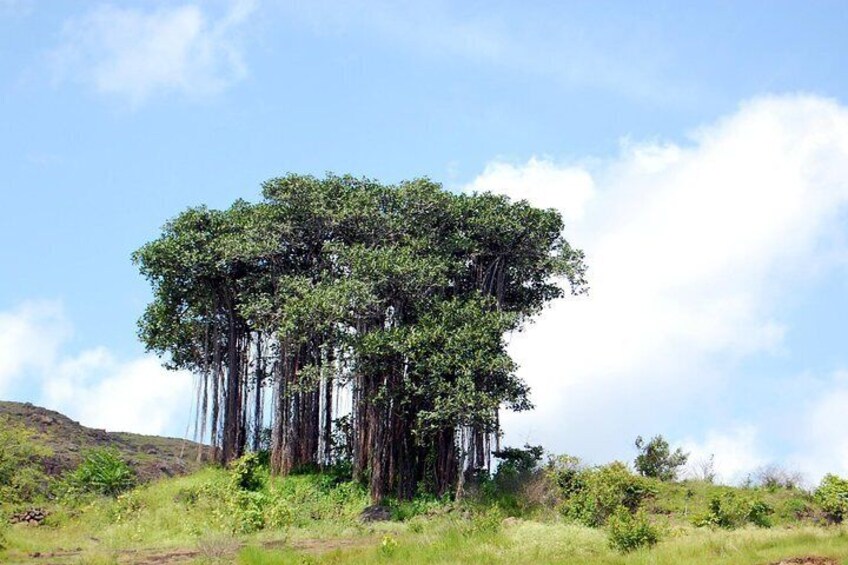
[691,247]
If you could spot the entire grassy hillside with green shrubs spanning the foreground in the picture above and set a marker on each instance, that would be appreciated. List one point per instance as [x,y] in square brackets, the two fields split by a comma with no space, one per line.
[561,512]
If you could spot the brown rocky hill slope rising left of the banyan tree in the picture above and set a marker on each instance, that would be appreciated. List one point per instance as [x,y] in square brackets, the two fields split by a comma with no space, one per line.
[152,457]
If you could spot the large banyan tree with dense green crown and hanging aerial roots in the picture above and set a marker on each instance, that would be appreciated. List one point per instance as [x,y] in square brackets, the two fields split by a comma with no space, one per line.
[340,319]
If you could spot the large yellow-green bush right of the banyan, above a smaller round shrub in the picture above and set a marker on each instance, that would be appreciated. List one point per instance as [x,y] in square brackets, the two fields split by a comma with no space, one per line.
[592,495]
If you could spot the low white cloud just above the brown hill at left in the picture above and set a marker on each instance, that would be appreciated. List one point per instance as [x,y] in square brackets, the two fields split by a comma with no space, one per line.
[92,386]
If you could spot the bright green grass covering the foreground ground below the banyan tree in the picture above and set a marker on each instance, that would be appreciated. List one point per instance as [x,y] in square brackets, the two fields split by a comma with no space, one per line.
[313,518]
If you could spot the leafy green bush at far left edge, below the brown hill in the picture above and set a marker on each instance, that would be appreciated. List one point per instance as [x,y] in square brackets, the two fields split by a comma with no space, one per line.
[21,478]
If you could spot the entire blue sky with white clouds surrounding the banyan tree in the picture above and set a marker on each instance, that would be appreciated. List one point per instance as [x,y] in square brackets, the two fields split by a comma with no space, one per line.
[697,151]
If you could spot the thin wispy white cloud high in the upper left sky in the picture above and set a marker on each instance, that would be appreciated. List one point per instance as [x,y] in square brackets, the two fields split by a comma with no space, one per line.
[135,54]
